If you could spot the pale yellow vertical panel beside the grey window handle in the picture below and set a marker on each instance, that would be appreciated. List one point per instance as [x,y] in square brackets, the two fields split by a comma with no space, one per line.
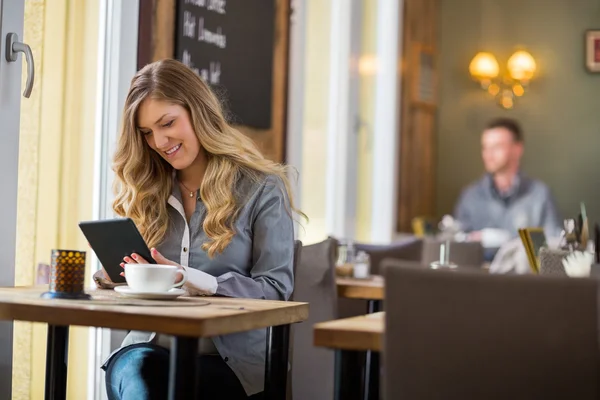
[56,161]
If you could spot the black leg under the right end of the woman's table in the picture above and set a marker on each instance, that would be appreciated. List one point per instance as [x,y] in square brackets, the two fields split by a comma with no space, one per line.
[276,362]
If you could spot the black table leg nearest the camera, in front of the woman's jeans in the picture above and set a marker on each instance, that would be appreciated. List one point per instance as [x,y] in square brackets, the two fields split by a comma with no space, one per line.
[183,368]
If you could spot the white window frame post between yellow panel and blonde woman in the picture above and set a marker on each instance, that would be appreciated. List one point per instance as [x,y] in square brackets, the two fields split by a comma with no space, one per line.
[117,63]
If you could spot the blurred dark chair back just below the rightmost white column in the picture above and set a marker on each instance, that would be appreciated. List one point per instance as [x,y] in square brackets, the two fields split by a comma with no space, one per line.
[409,250]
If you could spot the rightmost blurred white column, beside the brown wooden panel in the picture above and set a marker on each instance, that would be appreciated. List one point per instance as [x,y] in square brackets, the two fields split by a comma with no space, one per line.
[387,116]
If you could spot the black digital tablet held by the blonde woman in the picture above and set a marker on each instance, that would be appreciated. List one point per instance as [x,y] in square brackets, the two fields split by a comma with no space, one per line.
[112,240]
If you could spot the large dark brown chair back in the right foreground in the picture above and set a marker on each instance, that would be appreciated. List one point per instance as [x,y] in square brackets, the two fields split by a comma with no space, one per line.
[475,336]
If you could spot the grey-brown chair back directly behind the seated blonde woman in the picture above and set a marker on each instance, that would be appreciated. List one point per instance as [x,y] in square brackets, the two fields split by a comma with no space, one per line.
[313,367]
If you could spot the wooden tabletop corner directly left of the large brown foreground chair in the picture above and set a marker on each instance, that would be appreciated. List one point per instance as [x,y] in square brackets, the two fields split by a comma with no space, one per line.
[356,333]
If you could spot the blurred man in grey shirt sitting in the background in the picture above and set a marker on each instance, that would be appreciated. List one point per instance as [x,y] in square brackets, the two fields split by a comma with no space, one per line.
[492,209]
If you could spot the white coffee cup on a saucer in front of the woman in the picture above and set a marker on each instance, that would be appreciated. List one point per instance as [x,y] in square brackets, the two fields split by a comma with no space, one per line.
[153,277]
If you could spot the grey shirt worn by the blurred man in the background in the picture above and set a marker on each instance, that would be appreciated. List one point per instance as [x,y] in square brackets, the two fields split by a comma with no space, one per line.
[529,203]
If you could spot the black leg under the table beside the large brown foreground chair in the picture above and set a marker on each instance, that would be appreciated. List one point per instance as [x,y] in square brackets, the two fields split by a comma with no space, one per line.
[348,375]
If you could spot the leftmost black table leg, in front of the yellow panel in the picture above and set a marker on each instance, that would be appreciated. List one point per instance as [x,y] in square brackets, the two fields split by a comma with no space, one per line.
[56,362]
